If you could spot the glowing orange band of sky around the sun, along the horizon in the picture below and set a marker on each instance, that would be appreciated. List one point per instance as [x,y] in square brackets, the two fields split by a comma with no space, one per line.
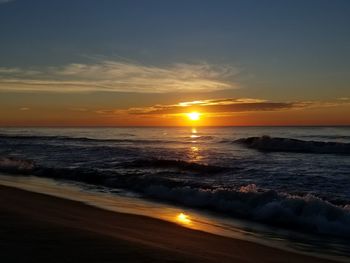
[225,112]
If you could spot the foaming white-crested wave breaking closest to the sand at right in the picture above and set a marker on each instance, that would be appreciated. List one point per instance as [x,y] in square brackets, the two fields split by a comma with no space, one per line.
[308,213]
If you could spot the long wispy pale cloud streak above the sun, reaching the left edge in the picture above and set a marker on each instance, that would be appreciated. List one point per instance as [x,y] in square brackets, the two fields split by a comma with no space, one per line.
[117,76]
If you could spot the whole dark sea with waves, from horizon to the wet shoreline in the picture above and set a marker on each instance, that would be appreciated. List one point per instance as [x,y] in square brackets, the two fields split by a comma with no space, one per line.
[291,177]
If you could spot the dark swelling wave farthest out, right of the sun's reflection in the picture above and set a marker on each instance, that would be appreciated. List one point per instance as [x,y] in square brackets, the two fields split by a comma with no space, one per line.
[276,144]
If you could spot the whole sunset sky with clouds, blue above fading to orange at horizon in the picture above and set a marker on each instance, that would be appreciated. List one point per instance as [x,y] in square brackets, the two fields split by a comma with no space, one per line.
[149,63]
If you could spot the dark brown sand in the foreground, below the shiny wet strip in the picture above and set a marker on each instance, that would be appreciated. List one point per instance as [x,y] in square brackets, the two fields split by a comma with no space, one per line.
[40,228]
